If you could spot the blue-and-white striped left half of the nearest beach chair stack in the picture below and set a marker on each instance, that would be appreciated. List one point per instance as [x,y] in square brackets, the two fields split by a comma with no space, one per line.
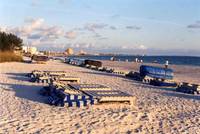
[61,94]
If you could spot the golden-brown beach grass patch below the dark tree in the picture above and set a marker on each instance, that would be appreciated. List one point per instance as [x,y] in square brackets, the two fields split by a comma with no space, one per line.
[9,56]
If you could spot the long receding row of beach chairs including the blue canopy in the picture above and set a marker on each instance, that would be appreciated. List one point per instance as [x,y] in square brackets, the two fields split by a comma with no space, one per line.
[151,75]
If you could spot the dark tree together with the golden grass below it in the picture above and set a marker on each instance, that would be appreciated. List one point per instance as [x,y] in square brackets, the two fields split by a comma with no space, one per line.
[8,44]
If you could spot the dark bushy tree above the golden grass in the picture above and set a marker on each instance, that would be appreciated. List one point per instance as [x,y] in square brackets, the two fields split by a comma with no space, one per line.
[9,42]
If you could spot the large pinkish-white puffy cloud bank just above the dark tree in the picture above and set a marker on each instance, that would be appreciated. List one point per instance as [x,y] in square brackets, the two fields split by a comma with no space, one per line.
[36,32]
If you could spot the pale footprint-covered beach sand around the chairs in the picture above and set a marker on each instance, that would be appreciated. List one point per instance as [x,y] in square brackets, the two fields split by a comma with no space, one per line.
[23,110]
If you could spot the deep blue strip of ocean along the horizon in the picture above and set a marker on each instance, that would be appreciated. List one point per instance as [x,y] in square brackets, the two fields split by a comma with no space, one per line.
[174,60]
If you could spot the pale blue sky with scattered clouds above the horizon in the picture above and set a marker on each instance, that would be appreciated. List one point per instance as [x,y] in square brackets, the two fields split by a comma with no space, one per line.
[152,27]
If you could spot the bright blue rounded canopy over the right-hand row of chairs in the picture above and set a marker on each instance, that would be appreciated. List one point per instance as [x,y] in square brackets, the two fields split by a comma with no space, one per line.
[156,72]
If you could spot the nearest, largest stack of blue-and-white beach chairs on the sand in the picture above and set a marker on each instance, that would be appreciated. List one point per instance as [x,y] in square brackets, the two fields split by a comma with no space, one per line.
[79,95]
